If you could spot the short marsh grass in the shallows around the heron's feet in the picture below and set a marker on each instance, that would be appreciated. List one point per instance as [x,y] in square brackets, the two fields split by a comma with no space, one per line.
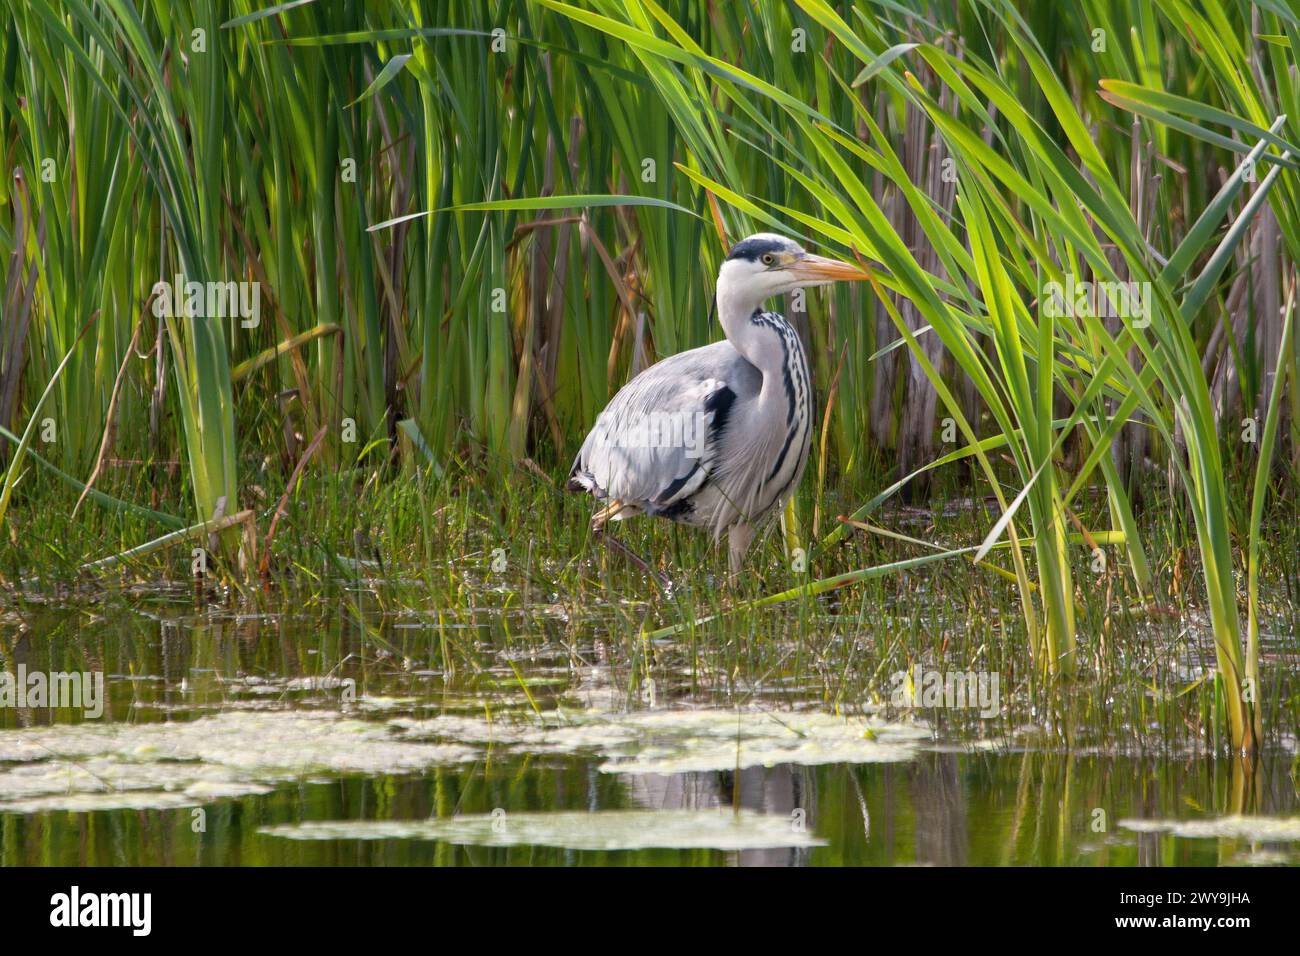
[353,556]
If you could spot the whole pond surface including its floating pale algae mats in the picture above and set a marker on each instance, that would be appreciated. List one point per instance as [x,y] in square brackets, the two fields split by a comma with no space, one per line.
[326,736]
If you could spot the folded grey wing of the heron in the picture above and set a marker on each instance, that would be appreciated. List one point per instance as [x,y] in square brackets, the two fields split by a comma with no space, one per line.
[655,444]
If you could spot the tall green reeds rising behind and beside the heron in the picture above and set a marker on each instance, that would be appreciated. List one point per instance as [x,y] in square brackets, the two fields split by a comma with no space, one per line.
[473,223]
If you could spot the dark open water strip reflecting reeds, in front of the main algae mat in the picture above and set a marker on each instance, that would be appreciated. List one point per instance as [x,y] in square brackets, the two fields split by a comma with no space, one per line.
[942,810]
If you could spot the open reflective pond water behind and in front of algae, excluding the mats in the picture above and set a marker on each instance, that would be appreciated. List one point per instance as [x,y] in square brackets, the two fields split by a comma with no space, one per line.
[939,807]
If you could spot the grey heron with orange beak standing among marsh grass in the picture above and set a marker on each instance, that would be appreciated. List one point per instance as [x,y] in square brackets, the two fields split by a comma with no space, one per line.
[717,438]
